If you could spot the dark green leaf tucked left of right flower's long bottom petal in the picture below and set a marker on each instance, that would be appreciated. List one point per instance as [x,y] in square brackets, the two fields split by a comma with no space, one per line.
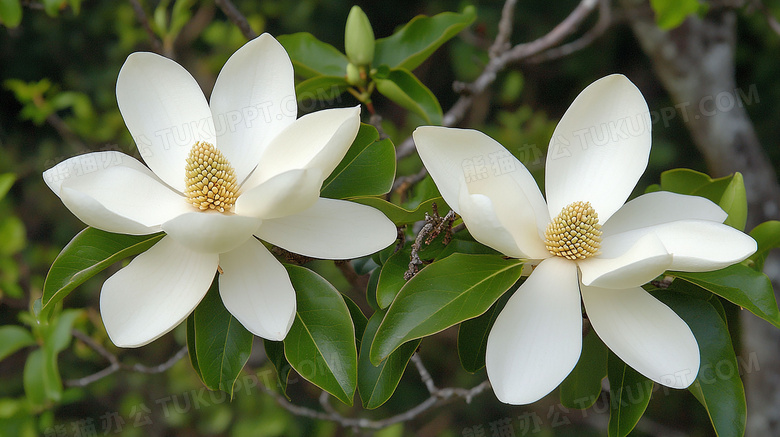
[473,335]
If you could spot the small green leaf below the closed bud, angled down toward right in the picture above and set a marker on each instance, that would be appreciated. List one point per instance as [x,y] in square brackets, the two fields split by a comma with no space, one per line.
[406,90]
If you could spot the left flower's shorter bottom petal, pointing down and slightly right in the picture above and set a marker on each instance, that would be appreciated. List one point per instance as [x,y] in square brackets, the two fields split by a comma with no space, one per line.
[257,291]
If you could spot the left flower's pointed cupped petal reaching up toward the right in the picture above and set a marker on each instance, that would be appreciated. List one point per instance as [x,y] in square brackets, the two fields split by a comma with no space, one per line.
[315,141]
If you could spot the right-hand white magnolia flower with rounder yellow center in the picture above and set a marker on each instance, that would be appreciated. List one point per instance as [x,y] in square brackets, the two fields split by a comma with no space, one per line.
[591,246]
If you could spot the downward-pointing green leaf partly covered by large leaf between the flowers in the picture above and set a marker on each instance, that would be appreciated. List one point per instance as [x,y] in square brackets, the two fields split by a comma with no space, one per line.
[377,383]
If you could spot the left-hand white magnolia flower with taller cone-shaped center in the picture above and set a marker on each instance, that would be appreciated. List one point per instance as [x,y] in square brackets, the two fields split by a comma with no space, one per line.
[220,173]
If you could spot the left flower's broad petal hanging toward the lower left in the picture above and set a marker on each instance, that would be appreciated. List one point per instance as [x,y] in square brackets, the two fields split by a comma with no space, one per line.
[155,292]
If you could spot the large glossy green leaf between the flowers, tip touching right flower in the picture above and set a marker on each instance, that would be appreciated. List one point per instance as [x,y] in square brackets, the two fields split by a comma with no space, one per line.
[445,293]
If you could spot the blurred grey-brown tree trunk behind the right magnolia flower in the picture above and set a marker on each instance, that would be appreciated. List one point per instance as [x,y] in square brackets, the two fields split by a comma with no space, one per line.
[695,63]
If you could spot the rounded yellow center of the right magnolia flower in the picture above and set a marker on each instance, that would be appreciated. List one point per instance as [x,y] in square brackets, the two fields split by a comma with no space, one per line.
[575,233]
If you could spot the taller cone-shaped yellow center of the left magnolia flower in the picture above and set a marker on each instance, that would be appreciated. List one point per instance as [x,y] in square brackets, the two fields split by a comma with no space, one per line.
[210,179]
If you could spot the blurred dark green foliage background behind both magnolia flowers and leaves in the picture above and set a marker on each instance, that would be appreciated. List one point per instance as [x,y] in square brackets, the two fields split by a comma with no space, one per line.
[57,75]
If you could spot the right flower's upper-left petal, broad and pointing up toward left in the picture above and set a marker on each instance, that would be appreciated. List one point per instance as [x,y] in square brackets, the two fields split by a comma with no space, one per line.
[460,158]
